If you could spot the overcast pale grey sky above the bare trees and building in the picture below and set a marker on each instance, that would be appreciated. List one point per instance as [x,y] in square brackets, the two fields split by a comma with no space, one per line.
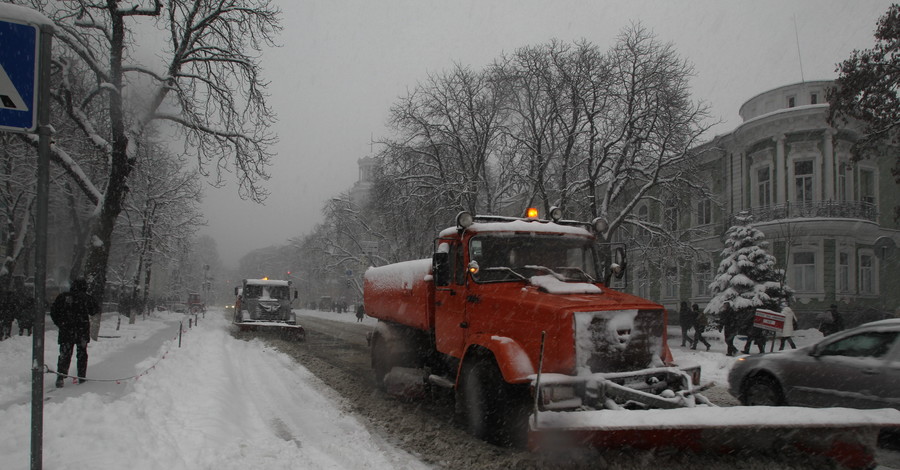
[343,63]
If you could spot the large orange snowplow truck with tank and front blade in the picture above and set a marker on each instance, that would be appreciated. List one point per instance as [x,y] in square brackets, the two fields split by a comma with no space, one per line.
[516,318]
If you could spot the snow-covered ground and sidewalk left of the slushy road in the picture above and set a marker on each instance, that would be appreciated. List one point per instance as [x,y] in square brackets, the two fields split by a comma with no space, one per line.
[215,402]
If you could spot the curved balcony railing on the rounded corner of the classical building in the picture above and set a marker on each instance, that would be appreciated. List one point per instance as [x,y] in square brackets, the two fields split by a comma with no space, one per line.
[812,210]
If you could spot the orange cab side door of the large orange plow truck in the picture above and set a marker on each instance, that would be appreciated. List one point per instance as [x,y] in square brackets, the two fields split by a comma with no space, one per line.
[450,303]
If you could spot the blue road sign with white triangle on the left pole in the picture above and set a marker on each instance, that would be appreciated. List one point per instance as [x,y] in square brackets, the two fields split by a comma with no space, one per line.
[18,76]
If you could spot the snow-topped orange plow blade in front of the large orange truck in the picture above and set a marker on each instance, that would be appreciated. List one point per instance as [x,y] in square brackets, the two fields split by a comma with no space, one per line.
[847,436]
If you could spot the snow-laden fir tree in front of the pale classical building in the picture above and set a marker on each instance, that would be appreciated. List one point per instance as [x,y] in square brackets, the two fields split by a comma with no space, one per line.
[747,278]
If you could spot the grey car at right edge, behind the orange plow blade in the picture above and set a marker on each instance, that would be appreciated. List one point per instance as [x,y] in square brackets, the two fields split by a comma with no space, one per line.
[855,368]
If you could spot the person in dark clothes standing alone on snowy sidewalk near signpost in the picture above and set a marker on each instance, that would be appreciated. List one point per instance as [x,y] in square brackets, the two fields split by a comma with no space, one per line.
[71,313]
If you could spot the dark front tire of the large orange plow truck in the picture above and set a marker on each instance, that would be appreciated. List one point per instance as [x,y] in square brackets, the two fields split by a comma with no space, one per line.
[491,409]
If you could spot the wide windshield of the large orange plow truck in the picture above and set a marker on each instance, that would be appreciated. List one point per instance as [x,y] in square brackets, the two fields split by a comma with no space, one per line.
[519,256]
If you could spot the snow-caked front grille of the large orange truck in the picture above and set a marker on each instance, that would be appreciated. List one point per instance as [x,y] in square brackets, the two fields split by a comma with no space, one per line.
[618,340]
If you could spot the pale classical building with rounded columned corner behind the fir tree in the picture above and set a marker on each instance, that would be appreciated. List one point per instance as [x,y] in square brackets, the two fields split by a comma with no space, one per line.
[829,219]
